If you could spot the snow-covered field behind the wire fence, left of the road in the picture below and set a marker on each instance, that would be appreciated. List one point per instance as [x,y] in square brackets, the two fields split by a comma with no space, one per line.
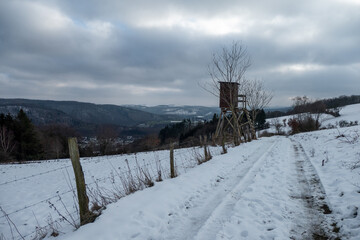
[28,190]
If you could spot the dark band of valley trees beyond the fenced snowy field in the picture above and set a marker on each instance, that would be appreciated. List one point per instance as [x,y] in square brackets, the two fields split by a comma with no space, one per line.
[21,140]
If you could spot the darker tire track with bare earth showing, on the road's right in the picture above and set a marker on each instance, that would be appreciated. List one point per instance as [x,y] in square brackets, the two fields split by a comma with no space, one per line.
[315,220]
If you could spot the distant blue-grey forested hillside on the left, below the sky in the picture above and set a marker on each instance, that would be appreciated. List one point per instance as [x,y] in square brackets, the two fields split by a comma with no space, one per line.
[78,113]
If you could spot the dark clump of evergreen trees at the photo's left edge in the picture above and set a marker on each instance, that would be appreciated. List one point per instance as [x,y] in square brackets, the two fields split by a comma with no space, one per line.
[21,140]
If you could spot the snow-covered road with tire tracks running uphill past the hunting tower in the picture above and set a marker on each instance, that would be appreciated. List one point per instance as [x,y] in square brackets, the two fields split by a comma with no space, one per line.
[265,189]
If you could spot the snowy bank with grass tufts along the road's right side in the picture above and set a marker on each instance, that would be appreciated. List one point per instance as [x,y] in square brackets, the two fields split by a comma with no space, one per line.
[342,185]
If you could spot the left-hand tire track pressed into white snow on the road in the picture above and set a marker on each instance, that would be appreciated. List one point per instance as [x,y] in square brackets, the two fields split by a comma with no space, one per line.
[208,211]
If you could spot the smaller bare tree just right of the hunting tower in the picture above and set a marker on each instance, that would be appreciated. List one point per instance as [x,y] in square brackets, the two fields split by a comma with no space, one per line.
[256,95]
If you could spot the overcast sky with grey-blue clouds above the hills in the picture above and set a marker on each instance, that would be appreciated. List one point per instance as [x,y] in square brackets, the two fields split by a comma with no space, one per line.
[157,52]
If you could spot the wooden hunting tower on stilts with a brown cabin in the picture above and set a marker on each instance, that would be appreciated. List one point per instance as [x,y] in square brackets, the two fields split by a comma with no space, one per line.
[234,119]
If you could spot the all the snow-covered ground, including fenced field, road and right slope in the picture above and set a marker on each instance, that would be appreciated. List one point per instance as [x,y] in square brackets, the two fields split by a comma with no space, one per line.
[305,186]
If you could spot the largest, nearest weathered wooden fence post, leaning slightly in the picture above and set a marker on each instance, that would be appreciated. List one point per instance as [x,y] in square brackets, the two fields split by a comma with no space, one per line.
[85,215]
